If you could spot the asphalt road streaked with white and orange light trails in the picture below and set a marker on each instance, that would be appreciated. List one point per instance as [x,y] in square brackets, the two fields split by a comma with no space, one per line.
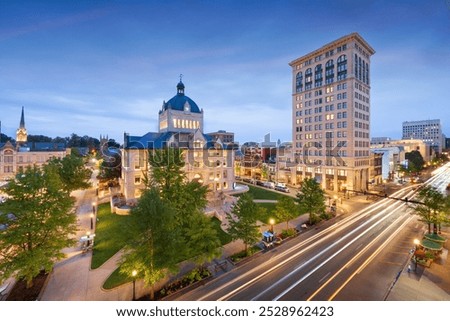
[357,257]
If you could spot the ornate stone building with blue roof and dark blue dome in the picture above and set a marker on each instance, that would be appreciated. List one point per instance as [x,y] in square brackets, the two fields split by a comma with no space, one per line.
[207,159]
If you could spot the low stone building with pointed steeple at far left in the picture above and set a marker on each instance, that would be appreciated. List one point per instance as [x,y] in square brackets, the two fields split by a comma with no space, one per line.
[16,156]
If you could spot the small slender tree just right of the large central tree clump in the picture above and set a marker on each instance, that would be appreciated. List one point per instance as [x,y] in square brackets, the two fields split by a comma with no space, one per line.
[242,221]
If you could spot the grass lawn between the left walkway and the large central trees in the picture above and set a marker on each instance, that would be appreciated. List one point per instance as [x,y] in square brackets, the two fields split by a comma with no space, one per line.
[107,235]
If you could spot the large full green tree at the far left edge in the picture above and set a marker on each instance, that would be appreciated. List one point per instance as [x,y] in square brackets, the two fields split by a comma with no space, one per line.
[40,226]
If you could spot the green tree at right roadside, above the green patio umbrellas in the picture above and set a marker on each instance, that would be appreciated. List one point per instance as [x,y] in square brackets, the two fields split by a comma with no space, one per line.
[432,207]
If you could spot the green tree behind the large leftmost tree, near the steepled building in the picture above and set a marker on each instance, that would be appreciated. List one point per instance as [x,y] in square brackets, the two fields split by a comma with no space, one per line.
[74,175]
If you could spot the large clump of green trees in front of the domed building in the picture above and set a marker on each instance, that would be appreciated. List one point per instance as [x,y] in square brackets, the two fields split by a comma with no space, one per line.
[169,194]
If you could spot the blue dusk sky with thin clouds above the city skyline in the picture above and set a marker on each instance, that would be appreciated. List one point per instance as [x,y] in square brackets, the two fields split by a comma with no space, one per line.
[105,67]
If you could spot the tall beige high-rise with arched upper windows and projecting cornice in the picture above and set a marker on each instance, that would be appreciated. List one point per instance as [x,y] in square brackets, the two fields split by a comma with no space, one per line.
[331,114]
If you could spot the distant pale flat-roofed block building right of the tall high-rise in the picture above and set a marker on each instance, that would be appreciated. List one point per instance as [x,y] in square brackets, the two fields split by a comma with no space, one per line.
[429,131]
